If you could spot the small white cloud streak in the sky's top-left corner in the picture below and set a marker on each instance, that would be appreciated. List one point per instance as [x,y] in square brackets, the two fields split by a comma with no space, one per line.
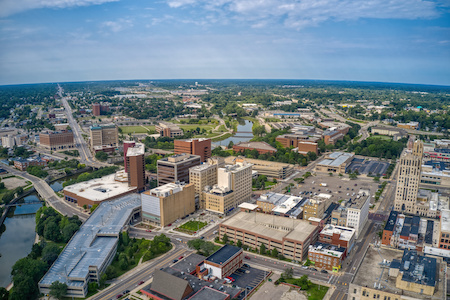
[10,7]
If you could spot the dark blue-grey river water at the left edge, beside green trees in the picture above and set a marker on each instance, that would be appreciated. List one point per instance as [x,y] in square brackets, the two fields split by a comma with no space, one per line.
[18,238]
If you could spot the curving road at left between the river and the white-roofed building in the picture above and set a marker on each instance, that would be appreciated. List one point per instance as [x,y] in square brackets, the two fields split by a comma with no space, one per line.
[47,193]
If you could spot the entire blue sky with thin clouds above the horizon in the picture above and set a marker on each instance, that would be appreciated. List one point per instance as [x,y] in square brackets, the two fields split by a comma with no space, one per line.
[404,41]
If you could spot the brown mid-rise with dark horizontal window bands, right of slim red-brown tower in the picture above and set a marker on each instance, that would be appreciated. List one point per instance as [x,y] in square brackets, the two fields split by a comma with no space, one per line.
[176,168]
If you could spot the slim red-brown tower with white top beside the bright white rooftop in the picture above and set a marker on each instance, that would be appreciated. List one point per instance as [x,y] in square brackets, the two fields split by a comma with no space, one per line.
[135,164]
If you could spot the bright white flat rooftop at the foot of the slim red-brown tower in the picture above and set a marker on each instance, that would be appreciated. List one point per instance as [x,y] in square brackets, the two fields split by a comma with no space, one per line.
[100,189]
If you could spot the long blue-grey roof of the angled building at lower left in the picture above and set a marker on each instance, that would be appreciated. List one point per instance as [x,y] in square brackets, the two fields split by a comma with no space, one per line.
[93,242]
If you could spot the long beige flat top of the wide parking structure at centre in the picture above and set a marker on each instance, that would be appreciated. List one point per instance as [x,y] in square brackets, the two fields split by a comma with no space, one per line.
[271,226]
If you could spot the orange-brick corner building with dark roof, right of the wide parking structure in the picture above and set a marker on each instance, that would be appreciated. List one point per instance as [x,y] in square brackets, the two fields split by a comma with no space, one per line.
[326,256]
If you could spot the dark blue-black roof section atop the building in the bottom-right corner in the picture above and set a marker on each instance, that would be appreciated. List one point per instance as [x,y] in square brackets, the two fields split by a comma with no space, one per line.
[418,269]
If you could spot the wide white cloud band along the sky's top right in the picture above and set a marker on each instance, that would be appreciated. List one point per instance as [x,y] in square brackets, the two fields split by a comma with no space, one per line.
[302,13]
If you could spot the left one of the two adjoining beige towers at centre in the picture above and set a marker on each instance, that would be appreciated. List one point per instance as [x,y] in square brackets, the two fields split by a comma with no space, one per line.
[201,177]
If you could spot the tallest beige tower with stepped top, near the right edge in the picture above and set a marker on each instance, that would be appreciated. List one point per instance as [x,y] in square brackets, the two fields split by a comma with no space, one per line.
[409,178]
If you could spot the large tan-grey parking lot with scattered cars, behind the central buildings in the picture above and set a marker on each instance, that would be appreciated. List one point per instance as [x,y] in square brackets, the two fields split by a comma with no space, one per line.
[339,187]
